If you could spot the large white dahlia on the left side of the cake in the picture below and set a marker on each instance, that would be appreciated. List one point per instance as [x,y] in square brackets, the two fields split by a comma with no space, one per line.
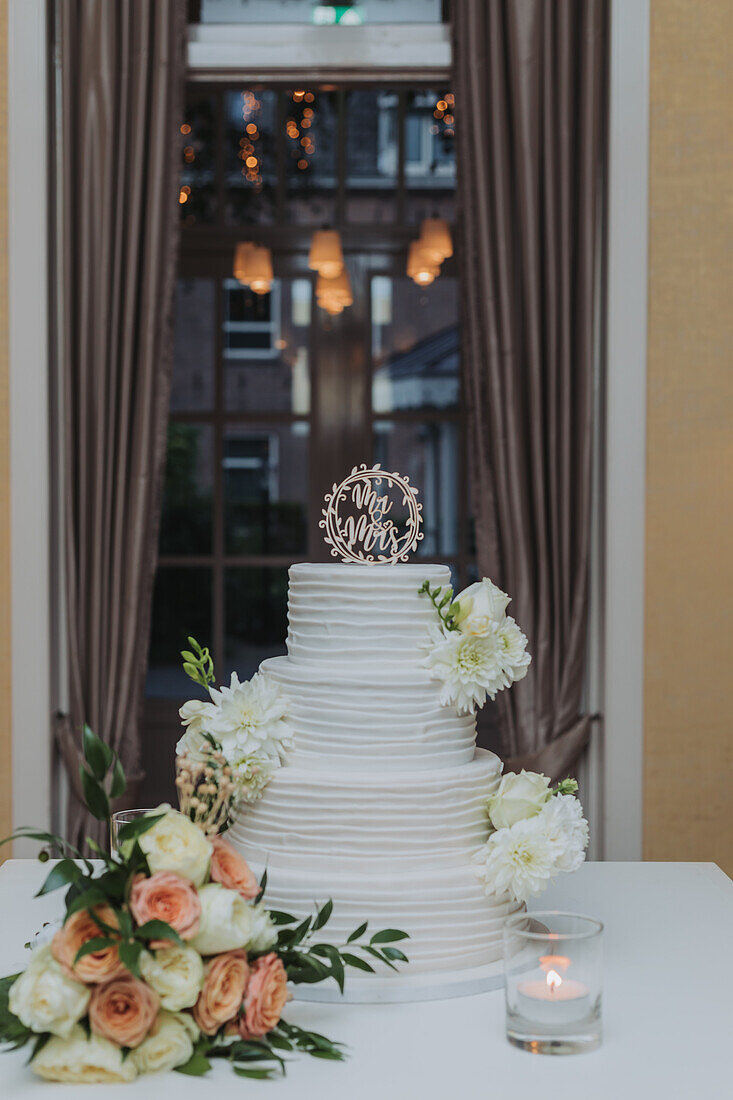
[250,721]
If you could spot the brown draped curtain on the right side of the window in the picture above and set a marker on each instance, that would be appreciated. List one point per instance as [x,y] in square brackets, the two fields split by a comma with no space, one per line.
[530,90]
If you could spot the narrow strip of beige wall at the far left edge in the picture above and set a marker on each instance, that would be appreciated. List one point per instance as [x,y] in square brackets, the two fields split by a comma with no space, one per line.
[6,728]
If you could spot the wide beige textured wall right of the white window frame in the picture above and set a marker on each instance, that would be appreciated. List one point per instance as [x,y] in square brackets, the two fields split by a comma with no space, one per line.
[688,753]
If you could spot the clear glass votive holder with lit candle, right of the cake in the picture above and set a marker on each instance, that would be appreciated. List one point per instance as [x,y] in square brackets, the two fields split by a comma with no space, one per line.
[553,970]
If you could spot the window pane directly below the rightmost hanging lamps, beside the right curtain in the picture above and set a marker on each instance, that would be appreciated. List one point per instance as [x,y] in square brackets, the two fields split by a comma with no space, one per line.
[415,345]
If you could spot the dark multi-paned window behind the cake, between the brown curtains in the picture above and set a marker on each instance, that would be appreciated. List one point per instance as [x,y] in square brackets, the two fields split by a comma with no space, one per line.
[273,399]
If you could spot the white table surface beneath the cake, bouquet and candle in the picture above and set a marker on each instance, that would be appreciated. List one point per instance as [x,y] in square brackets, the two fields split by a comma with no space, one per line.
[669,1010]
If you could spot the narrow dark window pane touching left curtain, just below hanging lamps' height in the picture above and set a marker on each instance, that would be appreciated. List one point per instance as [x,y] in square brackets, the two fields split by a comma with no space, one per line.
[194,347]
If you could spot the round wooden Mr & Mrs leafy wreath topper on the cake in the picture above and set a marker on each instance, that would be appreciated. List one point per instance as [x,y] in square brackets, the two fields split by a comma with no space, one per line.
[368,534]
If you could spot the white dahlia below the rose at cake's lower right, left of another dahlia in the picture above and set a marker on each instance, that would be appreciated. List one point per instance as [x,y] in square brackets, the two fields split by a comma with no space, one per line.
[519,861]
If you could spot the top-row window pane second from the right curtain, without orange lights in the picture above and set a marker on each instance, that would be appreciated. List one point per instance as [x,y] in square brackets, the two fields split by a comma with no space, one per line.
[373,157]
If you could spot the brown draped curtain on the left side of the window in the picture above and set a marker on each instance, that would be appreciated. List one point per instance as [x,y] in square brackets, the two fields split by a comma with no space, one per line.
[122,76]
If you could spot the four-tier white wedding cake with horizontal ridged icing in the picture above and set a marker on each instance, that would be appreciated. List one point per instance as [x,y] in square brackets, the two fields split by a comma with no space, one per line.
[382,802]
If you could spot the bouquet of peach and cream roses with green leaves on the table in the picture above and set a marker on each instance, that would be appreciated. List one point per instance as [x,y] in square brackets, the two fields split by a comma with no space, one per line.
[168,956]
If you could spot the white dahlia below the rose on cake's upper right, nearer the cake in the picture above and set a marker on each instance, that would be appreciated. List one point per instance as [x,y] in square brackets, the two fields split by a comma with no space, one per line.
[468,666]
